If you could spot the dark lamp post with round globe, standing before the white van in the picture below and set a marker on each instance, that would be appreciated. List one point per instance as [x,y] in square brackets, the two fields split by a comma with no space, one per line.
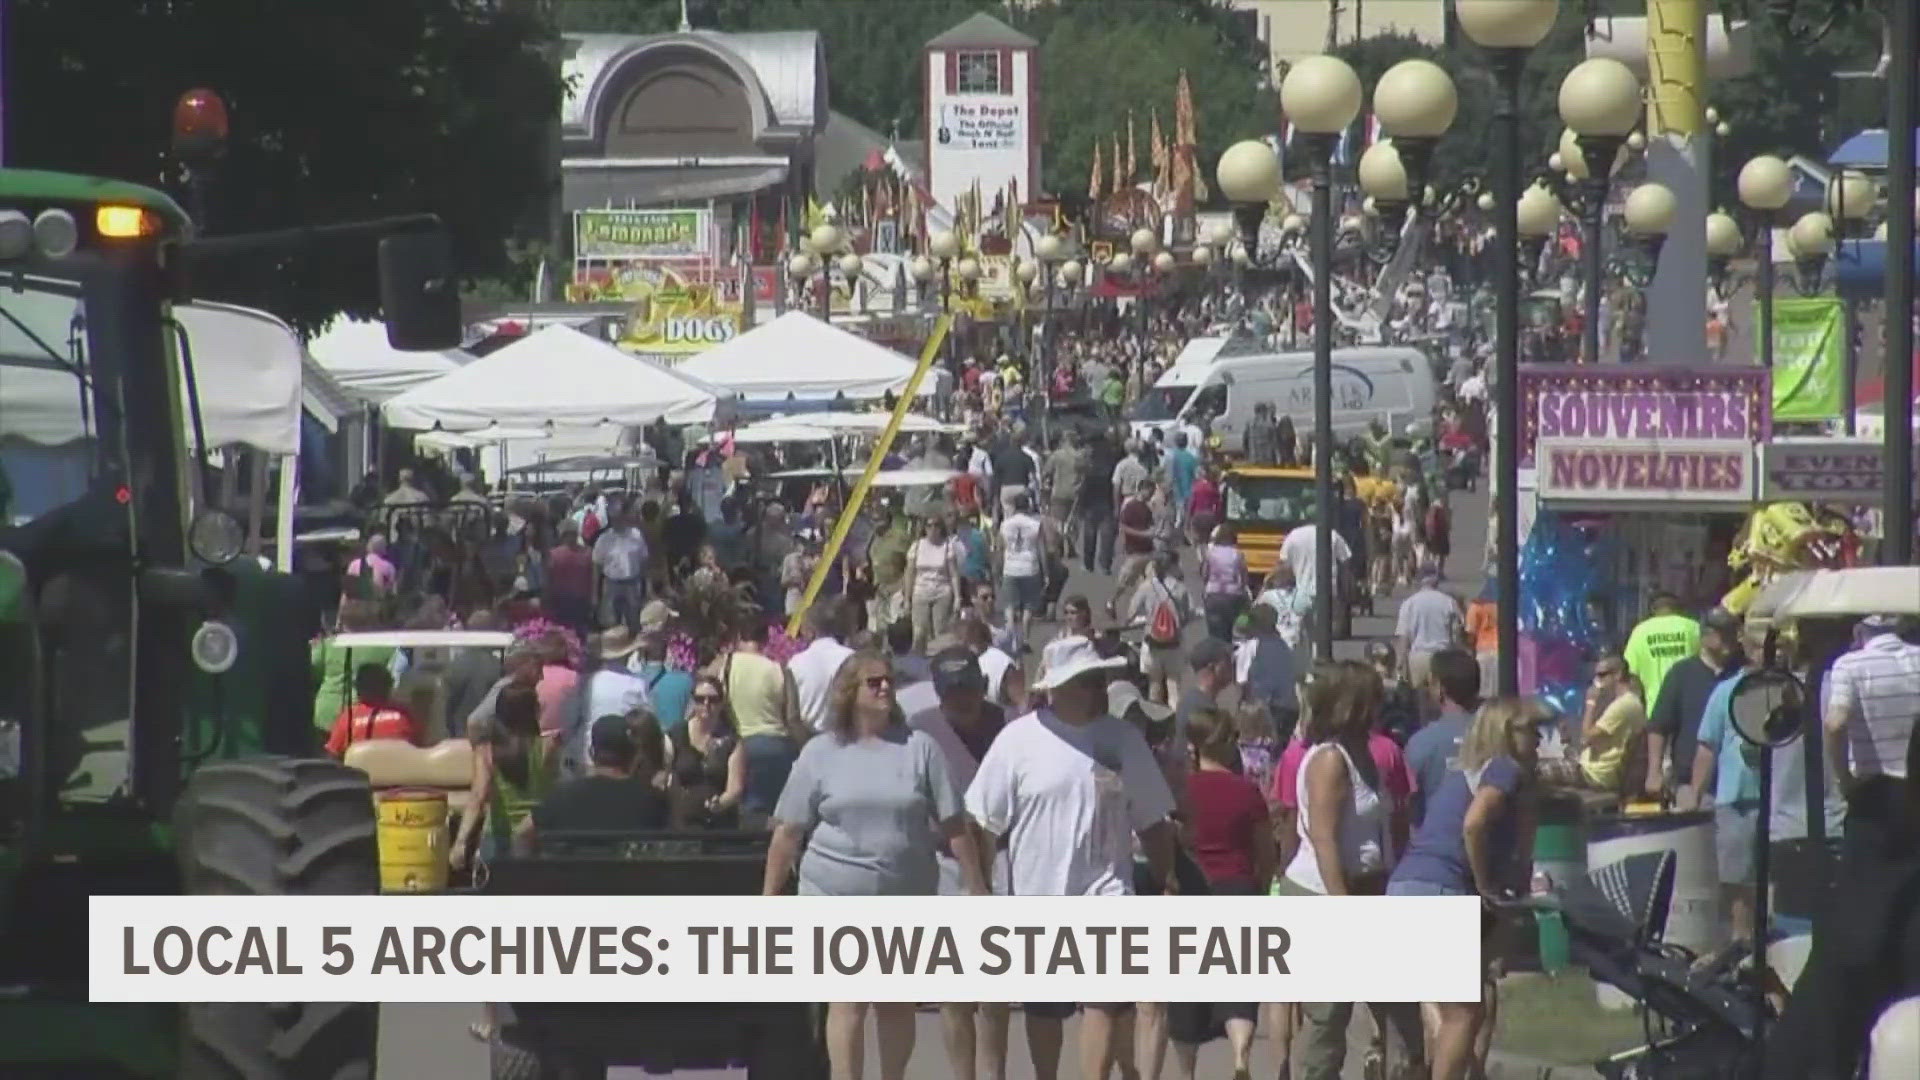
[1322,95]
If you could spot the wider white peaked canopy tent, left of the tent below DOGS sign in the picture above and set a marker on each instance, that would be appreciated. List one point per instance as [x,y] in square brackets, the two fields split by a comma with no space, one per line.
[556,378]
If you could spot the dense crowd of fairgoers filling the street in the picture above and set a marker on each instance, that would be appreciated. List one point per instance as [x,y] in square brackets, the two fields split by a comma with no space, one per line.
[963,714]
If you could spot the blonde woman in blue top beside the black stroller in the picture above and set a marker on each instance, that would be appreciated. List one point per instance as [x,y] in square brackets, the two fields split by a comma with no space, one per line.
[1476,837]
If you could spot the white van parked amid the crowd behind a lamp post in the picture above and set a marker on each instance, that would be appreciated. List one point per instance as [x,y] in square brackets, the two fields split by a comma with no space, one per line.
[1370,383]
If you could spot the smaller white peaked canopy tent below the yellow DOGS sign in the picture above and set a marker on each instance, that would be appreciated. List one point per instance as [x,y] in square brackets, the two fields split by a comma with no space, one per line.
[802,356]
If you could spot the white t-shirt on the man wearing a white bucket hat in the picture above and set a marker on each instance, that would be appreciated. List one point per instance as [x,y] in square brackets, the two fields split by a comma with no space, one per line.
[1068,800]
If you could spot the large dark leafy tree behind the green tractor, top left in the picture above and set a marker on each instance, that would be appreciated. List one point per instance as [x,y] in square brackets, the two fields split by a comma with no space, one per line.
[341,110]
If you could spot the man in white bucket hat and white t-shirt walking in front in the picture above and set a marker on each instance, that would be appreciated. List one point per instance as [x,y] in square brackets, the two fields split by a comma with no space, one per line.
[1068,789]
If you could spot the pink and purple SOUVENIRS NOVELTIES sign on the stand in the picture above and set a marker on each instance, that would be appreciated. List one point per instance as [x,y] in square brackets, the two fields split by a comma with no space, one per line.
[1644,433]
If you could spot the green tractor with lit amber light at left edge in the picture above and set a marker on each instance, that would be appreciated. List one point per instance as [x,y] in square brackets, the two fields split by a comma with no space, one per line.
[155,697]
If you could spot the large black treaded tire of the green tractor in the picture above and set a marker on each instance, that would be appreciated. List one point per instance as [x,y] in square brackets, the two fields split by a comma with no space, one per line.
[279,827]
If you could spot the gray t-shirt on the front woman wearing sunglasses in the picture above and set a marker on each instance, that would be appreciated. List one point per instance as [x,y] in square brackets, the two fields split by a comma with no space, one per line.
[873,808]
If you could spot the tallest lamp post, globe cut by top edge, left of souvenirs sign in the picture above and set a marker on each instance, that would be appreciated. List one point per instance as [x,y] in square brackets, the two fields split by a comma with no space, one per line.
[1508,32]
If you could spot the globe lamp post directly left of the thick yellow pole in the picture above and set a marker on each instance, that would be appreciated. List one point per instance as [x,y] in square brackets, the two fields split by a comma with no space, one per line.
[1600,107]
